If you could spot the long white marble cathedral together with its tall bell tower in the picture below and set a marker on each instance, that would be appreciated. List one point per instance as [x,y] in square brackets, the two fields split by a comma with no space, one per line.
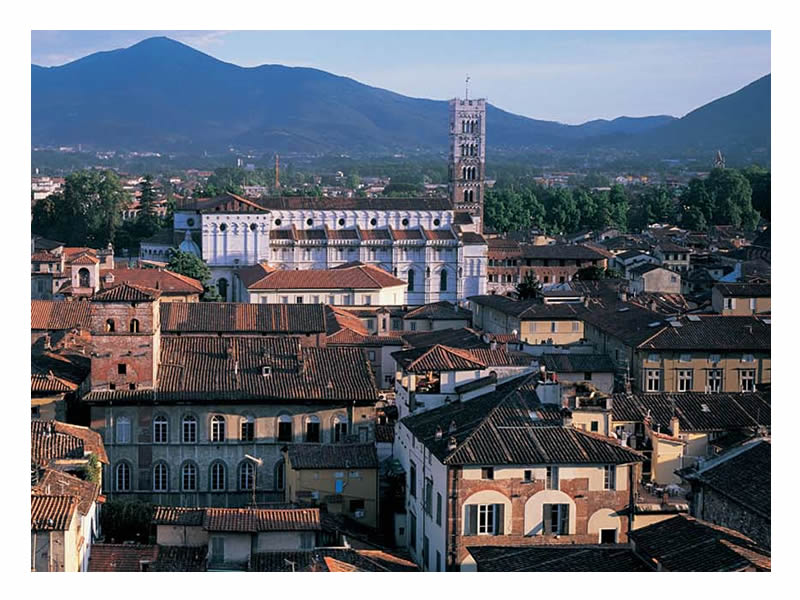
[435,245]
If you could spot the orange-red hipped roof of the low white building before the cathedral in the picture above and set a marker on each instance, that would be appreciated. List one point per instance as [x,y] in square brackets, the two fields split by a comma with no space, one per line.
[350,277]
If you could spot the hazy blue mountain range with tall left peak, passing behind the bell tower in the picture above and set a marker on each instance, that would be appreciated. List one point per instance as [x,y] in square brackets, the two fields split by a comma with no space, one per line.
[163,95]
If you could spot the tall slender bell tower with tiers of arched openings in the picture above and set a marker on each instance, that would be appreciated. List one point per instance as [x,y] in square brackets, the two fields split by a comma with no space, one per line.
[468,154]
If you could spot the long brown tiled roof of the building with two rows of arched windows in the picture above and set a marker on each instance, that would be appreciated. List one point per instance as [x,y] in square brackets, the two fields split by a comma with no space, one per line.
[220,369]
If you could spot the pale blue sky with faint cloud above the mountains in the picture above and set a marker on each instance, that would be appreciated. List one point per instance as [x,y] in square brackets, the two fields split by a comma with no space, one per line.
[565,76]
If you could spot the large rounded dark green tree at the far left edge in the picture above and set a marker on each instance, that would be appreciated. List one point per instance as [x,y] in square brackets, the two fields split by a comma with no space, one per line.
[88,212]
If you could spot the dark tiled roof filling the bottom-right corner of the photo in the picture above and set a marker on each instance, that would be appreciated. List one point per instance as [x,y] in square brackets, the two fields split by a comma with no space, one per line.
[683,543]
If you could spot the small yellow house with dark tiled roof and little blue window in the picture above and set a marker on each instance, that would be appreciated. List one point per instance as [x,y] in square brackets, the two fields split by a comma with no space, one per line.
[342,477]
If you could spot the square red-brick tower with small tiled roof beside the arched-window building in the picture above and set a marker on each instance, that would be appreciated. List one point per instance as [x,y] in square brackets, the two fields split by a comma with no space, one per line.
[126,338]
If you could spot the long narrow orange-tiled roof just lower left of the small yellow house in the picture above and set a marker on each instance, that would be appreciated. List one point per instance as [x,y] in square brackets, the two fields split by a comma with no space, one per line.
[256,520]
